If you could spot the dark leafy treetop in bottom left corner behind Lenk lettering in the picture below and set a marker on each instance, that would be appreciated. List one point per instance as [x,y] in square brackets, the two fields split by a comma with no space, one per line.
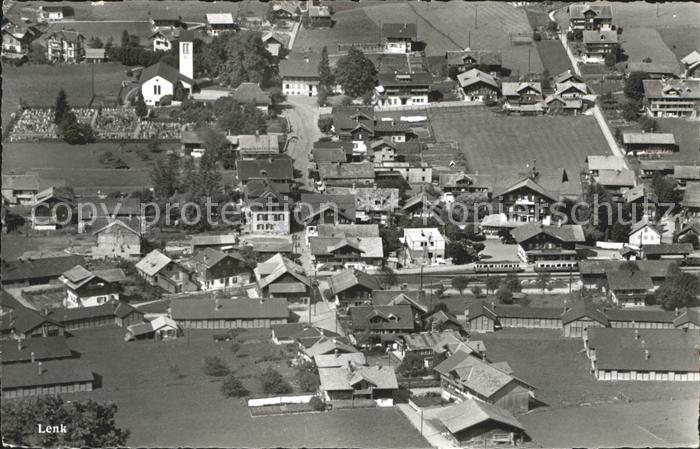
[88,423]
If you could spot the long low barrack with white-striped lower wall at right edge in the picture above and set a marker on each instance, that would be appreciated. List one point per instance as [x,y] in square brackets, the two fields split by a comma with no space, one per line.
[643,355]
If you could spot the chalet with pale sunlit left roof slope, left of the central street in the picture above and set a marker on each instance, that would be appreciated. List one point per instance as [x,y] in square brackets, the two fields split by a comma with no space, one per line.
[280,277]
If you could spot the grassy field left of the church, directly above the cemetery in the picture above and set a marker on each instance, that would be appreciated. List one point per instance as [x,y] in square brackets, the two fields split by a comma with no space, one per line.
[38,85]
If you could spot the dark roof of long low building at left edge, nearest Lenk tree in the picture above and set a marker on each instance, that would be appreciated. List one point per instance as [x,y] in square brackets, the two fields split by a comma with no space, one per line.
[53,372]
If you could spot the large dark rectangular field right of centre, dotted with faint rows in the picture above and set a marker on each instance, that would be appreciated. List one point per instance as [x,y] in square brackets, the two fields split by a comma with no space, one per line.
[489,140]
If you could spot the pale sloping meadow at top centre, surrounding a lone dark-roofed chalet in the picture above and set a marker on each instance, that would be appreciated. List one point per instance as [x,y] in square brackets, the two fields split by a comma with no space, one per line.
[441,27]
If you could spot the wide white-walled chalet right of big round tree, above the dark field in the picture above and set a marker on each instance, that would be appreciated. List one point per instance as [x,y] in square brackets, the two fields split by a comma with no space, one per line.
[402,89]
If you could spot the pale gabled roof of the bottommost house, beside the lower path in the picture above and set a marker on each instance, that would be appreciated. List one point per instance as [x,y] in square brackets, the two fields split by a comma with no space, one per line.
[472,412]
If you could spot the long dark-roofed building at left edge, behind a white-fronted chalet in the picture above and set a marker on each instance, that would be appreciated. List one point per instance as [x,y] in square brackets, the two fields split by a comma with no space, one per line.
[37,271]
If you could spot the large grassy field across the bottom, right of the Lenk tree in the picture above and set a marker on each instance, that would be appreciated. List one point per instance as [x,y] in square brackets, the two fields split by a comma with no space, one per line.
[165,399]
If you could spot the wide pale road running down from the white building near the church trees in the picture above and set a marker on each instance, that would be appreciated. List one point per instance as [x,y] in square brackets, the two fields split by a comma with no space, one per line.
[302,114]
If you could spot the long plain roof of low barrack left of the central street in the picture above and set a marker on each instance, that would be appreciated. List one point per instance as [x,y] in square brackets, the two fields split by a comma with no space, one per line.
[228,309]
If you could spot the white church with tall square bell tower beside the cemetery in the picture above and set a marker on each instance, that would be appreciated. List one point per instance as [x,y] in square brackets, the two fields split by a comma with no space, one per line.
[160,79]
